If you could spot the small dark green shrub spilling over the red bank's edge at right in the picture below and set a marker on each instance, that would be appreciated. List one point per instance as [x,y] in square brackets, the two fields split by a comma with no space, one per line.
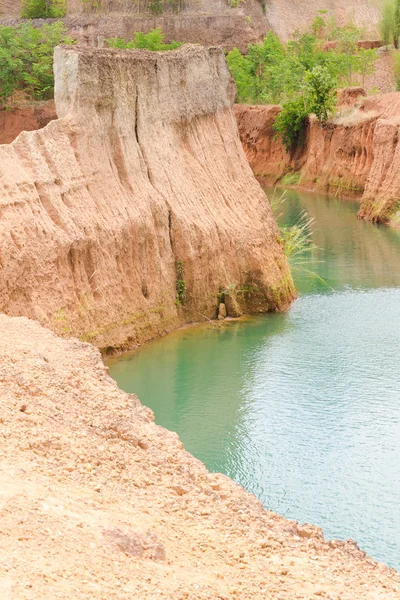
[291,122]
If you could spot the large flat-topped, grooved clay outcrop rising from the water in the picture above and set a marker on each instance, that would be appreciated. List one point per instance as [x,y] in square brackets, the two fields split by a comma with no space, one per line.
[141,183]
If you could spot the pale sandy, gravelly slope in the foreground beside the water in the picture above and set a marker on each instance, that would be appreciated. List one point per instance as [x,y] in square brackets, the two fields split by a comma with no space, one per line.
[99,502]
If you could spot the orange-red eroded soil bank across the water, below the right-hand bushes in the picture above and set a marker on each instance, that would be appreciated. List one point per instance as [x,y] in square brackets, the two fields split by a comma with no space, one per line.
[354,155]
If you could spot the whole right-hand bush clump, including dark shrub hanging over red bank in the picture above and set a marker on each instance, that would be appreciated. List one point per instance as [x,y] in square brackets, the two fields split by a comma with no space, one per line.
[303,74]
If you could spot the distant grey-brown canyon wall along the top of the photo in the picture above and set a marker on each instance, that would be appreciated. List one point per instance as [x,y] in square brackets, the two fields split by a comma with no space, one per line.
[227,23]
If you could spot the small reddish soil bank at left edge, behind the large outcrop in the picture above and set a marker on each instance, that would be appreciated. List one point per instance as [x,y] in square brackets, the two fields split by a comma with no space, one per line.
[27,117]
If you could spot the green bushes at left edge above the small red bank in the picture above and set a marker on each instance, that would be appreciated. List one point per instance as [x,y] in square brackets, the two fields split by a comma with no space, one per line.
[26,60]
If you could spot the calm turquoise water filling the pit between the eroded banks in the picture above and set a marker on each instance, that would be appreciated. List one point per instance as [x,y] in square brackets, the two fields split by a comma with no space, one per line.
[301,408]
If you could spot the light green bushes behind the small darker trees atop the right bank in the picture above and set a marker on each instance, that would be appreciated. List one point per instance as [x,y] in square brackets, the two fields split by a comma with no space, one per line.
[273,72]
